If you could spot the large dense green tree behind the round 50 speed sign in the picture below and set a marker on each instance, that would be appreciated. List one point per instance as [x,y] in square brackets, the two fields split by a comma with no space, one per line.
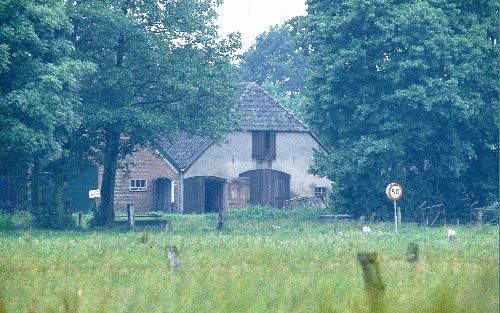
[405,91]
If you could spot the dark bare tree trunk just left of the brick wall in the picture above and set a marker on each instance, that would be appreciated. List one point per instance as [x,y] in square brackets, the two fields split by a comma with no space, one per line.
[106,212]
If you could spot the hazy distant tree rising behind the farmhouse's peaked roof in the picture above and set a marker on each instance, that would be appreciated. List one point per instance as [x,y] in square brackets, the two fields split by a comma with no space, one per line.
[276,63]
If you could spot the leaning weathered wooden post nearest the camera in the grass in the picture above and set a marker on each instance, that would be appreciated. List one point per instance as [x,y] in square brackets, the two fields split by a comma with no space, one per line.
[373,281]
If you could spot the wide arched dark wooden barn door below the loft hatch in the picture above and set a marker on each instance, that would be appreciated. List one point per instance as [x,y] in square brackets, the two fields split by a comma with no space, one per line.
[268,187]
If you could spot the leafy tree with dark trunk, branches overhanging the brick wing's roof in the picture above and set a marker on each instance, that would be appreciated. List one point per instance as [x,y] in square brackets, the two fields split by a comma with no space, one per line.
[160,68]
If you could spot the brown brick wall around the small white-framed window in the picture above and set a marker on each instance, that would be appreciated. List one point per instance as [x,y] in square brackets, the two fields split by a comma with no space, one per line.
[144,164]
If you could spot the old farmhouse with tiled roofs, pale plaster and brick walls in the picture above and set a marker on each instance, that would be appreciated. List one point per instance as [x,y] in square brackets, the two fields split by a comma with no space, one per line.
[264,160]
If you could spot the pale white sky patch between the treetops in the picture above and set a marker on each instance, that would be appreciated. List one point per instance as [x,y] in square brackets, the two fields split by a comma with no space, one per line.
[253,17]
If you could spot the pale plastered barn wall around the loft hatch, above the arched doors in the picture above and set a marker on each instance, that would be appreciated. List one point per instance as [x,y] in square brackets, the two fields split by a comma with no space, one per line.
[294,155]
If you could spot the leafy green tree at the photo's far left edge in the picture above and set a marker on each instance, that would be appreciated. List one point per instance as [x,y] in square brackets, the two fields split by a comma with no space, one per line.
[39,84]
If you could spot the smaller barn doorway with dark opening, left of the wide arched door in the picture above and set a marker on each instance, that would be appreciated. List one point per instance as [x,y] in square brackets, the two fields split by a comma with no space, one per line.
[203,194]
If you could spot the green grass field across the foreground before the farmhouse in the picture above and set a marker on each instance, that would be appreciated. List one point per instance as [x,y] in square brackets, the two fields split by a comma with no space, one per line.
[250,266]
